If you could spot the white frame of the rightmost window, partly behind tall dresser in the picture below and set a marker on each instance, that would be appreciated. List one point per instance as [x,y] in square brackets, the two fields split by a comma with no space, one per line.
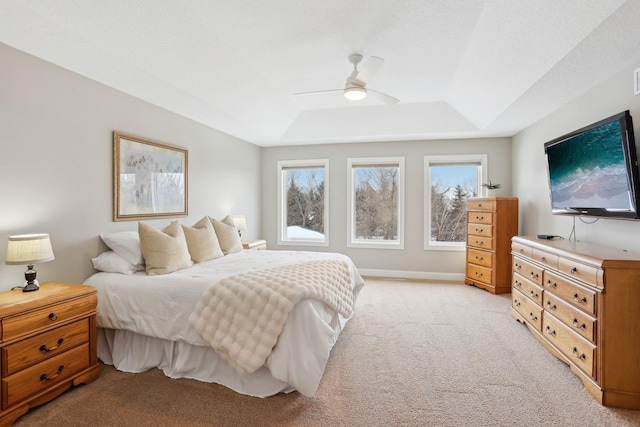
[448,159]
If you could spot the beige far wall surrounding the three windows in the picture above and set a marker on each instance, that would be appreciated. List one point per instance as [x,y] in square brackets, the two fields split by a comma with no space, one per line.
[413,260]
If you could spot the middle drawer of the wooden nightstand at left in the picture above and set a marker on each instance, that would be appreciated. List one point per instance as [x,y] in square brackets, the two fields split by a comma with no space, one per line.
[44,346]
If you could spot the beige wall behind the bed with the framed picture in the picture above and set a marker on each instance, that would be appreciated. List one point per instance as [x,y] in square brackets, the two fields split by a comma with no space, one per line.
[56,163]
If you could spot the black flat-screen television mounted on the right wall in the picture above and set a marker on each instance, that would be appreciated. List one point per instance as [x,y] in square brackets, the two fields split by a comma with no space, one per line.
[593,171]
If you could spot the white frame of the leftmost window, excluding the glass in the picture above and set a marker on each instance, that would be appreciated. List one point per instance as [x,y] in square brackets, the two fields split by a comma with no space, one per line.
[282,167]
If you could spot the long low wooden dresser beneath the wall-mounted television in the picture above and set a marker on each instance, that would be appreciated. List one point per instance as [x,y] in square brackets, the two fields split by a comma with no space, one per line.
[582,302]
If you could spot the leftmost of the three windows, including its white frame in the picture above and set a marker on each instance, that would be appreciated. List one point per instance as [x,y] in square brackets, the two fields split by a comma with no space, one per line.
[303,197]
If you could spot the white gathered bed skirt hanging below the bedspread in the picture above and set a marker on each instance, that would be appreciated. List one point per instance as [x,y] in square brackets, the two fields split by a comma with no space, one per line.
[131,352]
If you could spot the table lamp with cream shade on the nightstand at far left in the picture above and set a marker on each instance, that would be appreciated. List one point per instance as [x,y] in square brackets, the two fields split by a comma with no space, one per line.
[28,249]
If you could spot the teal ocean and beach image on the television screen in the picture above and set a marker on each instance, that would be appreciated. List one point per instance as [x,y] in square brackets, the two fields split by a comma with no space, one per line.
[588,170]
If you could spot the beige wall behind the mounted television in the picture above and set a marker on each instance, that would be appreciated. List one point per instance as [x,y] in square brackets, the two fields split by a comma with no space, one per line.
[529,169]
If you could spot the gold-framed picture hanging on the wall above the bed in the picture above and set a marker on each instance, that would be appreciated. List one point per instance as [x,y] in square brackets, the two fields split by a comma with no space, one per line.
[149,179]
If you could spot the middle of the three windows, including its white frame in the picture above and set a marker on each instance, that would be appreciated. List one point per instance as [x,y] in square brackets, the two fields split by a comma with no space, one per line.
[376,202]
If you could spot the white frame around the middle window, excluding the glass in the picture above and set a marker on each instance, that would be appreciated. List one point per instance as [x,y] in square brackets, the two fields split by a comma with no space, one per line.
[352,163]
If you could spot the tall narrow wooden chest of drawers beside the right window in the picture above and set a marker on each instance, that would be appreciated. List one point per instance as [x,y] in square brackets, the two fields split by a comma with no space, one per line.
[491,222]
